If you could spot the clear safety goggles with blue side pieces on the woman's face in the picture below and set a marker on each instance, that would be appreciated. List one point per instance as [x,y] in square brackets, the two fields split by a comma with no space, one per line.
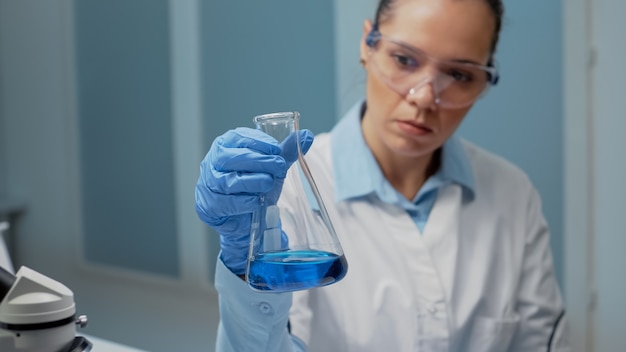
[406,70]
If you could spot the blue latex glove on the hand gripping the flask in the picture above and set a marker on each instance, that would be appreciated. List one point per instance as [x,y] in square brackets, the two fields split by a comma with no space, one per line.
[241,165]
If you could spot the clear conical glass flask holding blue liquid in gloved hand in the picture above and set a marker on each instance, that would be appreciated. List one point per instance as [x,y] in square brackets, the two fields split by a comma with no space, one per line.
[293,243]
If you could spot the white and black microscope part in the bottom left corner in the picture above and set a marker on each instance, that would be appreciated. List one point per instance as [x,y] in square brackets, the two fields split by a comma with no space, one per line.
[38,314]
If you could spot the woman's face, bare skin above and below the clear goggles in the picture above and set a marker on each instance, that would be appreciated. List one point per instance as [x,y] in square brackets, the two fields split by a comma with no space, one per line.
[413,125]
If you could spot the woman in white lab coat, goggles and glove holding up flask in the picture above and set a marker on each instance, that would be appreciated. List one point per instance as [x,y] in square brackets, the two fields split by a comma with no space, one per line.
[447,245]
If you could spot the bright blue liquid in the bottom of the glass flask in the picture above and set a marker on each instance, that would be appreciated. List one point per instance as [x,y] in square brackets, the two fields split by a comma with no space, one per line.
[295,270]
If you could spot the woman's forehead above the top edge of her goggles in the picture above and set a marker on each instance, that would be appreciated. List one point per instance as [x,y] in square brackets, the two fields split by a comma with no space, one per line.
[448,29]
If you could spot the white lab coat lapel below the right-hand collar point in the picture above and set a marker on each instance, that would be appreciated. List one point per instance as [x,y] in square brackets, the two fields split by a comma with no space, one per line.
[441,234]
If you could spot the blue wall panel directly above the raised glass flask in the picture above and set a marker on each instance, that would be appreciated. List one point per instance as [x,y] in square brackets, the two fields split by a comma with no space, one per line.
[267,56]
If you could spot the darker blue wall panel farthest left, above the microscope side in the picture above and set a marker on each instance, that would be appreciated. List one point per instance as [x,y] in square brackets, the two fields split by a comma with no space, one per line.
[123,73]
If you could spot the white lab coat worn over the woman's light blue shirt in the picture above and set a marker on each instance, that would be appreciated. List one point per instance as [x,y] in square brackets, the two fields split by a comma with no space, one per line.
[480,277]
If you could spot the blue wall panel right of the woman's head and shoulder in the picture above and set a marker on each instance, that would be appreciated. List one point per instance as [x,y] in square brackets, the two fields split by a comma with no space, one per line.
[522,117]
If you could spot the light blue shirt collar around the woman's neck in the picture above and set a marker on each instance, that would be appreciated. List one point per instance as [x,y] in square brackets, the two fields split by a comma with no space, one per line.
[357,173]
